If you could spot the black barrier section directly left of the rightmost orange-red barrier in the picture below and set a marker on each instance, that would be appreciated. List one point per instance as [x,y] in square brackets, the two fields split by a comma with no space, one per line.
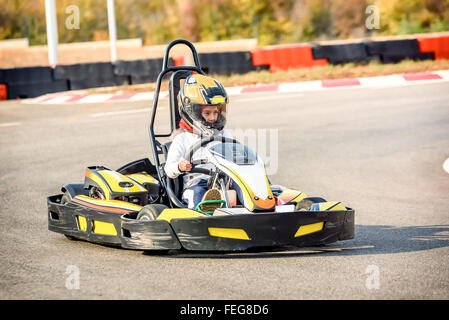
[392,51]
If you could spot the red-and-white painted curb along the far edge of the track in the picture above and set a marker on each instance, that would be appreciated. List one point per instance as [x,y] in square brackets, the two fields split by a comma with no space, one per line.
[304,86]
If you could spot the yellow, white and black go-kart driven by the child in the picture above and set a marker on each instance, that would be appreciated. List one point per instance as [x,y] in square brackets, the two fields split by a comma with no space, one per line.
[138,207]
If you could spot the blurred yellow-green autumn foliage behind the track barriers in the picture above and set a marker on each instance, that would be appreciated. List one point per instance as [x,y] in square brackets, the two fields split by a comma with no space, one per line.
[270,21]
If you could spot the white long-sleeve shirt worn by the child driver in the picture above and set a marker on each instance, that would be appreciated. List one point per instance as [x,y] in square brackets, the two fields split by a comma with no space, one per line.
[181,143]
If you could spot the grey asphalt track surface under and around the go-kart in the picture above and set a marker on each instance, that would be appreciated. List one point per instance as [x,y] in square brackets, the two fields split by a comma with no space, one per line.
[380,151]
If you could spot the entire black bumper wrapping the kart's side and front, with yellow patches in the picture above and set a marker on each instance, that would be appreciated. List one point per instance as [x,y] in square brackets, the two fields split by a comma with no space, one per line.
[215,233]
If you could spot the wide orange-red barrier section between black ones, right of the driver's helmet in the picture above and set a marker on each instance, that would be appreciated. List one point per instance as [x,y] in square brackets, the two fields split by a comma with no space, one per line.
[285,57]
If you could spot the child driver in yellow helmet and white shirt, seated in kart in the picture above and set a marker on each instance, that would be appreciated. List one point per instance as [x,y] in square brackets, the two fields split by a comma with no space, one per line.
[202,106]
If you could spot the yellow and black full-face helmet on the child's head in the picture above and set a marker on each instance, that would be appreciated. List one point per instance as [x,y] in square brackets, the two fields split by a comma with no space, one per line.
[197,92]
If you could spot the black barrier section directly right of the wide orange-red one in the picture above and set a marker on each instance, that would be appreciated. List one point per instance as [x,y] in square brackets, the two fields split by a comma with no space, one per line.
[342,53]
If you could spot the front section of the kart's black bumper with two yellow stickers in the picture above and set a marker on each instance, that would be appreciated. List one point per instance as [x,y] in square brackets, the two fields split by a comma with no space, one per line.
[263,230]
